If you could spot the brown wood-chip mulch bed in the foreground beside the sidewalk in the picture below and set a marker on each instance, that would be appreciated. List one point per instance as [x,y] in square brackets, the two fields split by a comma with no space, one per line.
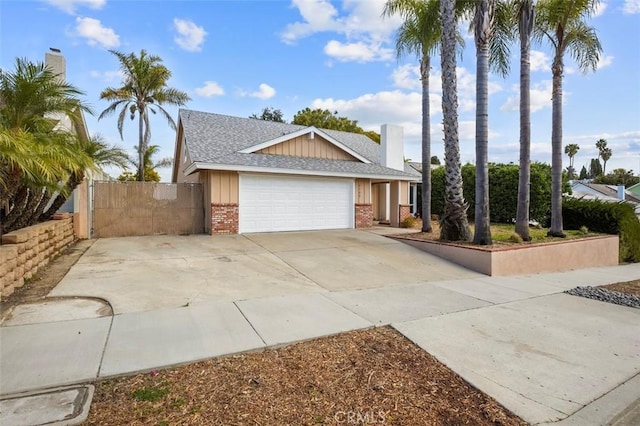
[373,376]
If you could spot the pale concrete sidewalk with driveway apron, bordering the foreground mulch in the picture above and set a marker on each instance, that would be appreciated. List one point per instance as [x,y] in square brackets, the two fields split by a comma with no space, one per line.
[543,354]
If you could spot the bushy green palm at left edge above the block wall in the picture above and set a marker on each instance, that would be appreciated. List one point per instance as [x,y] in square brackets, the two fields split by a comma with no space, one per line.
[37,153]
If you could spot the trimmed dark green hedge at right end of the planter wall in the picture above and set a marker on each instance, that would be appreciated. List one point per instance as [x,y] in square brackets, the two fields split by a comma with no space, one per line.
[609,218]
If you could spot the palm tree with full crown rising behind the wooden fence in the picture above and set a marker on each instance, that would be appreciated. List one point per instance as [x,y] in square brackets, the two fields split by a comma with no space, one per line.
[144,90]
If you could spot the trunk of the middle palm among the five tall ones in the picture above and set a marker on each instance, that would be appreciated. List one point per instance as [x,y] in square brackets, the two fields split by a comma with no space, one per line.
[483,17]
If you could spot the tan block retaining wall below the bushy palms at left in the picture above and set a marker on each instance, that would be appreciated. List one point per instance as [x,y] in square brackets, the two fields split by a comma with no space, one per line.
[26,250]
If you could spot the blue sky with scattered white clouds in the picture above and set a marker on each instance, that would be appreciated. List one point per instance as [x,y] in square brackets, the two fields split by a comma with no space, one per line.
[236,57]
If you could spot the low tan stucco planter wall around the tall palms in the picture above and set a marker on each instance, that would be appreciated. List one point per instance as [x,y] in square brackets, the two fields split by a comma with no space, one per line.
[527,259]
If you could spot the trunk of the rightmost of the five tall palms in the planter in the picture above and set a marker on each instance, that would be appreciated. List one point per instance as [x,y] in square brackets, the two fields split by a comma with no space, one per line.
[556,149]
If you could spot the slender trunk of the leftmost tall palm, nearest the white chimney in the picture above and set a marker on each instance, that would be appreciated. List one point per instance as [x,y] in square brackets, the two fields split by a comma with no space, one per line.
[425,66]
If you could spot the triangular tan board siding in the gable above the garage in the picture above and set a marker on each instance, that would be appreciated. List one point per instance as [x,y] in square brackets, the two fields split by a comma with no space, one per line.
[304,146]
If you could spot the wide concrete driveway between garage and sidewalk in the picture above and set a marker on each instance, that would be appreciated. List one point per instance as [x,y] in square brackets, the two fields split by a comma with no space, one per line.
[145,273]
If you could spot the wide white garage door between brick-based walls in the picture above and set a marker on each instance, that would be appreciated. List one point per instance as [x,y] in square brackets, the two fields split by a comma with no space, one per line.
[271,203]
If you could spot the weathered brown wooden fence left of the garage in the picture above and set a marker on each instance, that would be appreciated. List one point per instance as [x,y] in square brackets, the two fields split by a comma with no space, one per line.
[122,209]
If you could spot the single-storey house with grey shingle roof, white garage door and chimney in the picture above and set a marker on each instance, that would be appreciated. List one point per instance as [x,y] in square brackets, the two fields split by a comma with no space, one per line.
[264,176]
